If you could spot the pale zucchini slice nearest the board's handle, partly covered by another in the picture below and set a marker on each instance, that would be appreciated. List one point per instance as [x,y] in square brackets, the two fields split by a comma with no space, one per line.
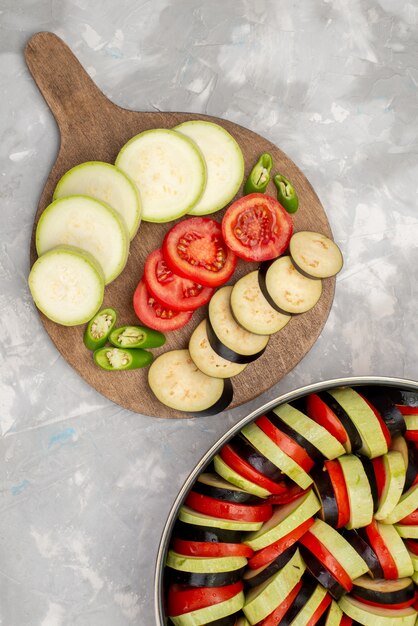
[107,183]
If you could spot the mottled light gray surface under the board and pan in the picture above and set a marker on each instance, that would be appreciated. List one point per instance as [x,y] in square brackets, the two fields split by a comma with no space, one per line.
[85,487]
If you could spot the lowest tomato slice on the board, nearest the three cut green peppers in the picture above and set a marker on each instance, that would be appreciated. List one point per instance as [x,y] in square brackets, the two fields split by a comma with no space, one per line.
[154,314]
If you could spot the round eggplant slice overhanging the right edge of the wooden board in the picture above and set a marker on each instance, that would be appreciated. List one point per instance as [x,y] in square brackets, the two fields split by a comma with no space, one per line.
[315,255]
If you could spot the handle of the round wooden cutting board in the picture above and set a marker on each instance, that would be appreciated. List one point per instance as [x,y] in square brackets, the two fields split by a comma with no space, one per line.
[77,104]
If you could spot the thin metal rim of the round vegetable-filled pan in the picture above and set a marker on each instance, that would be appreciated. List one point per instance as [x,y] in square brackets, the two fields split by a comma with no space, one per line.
[287,397]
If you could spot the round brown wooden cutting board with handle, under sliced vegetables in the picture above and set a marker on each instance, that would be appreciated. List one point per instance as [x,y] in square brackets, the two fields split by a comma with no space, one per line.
[93,128]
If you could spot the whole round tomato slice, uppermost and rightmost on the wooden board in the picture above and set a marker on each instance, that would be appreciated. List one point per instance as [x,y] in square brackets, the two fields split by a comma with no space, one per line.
[257,227]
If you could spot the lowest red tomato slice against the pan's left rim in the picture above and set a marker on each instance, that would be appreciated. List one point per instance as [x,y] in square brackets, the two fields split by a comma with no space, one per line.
[183,599]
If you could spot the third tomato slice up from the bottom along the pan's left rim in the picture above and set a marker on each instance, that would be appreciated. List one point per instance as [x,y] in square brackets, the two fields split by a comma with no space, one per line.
[229,510]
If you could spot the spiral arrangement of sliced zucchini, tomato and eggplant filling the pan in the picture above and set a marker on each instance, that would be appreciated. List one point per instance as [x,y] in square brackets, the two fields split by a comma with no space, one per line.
[302,521]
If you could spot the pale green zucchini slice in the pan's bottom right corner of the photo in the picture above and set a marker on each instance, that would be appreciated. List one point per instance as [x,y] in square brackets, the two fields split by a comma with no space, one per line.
[373,615]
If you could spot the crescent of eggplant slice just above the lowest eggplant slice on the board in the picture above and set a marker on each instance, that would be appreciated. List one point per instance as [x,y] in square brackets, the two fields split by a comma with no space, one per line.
[207,360]
